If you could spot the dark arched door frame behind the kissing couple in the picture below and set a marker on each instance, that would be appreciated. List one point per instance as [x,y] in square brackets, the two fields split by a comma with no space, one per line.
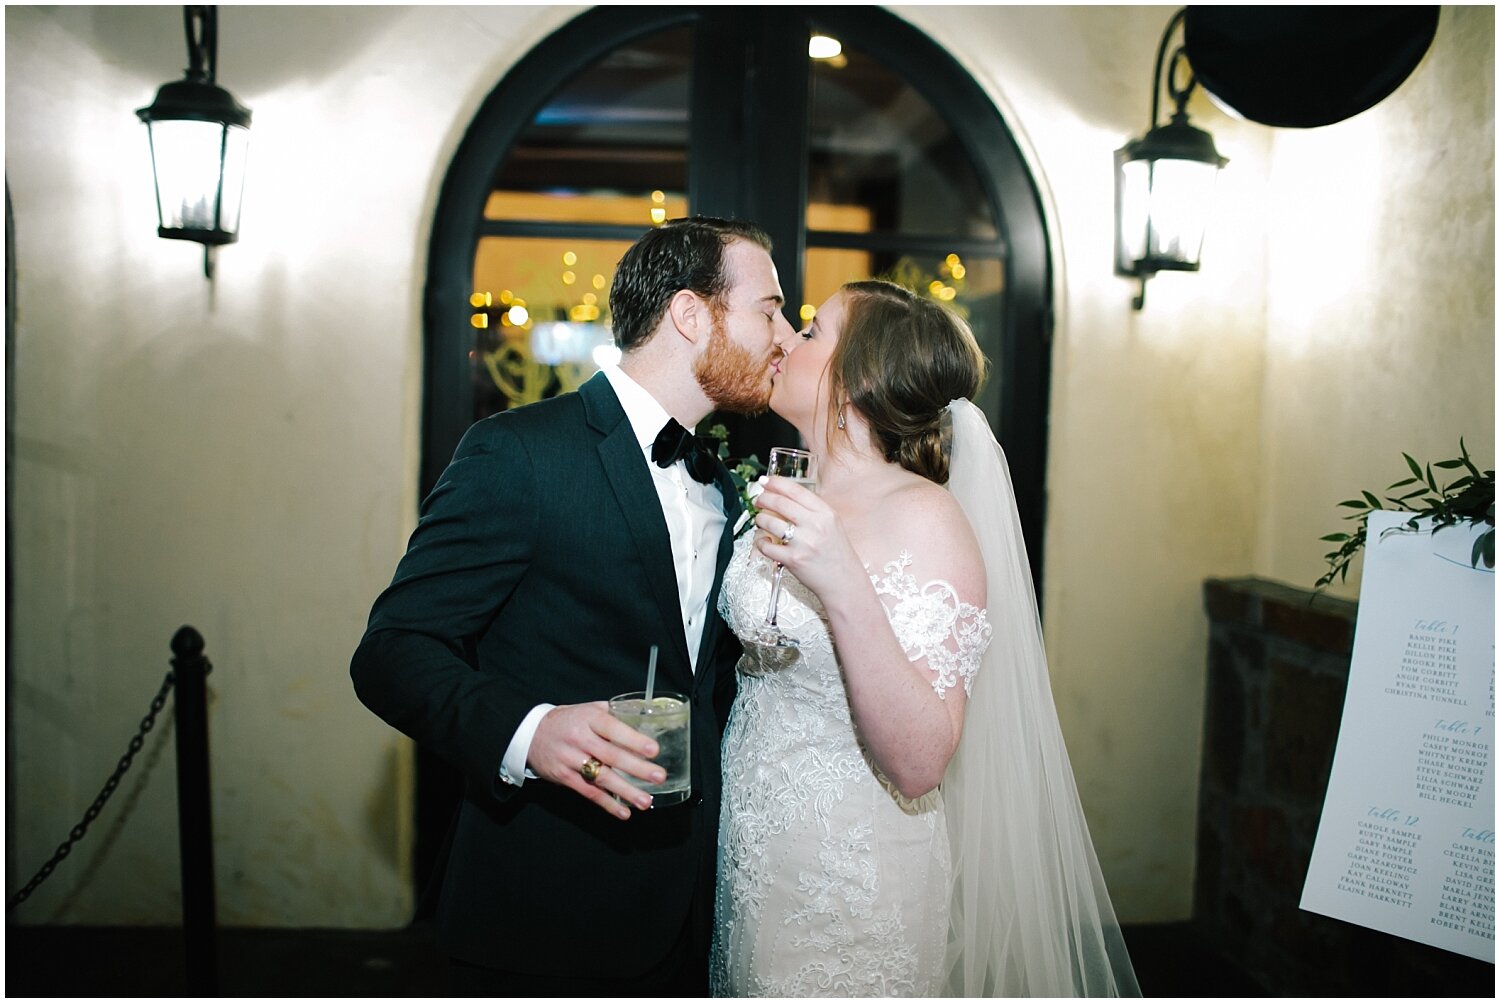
[748,160]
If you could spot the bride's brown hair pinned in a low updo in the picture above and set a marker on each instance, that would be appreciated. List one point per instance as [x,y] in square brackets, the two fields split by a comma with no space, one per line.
[901,359]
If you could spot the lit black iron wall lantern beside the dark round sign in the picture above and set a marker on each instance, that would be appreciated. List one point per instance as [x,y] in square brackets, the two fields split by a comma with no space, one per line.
[1165,184]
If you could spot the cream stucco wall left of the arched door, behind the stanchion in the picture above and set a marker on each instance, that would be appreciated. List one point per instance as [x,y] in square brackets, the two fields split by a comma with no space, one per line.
[241,458]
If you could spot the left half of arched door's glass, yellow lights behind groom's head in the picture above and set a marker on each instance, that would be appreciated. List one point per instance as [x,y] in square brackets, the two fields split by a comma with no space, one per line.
[604,160]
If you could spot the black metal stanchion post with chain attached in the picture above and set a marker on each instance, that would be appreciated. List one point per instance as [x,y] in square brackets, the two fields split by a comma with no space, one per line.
[194,813]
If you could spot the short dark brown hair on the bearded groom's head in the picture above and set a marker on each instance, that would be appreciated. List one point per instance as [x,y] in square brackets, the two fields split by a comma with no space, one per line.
[682,254]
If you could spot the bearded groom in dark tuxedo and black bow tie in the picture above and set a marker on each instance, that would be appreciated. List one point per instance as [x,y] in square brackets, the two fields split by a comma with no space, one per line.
[560,545]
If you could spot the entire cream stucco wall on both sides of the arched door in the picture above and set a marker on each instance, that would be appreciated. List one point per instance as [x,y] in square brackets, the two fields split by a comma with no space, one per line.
[244,458]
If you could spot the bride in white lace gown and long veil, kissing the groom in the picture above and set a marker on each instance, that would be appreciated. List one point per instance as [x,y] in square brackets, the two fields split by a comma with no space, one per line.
[899,815]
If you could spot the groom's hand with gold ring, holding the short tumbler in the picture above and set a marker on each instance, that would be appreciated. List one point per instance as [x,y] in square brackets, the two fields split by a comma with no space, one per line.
[572,735]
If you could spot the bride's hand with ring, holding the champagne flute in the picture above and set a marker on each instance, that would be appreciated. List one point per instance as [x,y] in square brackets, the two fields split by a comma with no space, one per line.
[818,551]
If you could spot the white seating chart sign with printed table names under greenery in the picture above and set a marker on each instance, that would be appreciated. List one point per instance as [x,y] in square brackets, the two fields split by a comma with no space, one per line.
[1406,843]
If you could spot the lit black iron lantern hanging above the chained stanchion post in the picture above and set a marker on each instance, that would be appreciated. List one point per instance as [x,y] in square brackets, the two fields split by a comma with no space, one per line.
[200,142]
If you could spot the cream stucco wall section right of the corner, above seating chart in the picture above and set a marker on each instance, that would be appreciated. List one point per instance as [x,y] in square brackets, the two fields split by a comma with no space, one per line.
[1382,320]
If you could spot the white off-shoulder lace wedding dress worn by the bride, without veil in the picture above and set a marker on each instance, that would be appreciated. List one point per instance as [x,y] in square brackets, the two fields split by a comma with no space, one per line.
[830,882]
